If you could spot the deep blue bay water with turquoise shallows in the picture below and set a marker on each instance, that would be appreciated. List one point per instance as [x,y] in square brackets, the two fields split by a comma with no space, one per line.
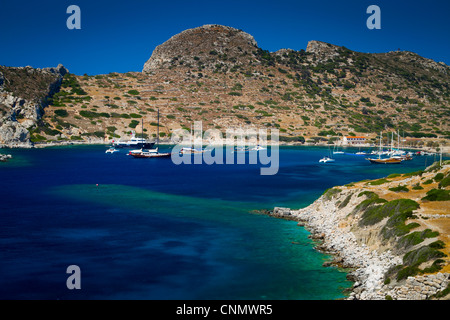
[149,229]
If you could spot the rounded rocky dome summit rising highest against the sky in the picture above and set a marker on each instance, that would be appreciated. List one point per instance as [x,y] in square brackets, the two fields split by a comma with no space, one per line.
[205,46]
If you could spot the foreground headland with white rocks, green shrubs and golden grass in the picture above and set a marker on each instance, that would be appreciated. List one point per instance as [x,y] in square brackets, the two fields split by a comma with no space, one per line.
[393,232]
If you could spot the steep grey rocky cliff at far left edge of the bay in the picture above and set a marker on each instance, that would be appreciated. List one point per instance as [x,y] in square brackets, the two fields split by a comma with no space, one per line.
[24,92]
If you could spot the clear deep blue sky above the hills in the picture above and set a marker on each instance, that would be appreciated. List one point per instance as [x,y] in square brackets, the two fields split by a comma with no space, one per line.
[119,36]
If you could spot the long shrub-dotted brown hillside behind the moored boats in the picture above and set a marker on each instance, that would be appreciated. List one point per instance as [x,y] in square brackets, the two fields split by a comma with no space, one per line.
[219,75]
